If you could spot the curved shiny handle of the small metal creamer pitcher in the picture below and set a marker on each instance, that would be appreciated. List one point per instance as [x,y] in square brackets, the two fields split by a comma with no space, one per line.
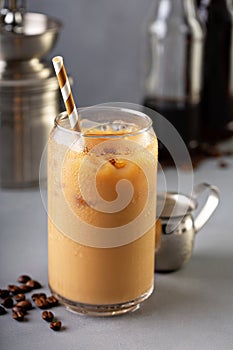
[210,205]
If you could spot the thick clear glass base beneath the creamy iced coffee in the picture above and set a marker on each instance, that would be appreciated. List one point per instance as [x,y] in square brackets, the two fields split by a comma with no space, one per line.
[103,310]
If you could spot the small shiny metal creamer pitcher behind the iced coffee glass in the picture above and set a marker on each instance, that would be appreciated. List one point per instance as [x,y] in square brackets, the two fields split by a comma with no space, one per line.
[178,226]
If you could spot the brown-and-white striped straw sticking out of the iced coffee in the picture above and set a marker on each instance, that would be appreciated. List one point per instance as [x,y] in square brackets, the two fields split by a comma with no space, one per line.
[66,92]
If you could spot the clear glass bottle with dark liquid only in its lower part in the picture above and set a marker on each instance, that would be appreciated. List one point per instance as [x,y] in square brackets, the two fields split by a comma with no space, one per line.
[174,68]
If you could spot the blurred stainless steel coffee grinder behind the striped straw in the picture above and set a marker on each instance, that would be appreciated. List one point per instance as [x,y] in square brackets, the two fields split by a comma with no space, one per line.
[29,92]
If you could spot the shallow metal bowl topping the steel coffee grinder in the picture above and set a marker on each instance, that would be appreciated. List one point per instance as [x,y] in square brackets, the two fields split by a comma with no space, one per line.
[24,35]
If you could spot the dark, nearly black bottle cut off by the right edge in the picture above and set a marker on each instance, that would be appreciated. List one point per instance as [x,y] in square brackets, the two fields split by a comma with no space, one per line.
[217,114]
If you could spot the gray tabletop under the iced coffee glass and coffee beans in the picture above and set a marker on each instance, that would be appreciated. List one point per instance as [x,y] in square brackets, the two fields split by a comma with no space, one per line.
[189,309]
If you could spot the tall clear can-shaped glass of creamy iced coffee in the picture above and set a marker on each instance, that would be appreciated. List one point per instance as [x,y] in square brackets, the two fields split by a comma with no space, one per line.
[101,210]
